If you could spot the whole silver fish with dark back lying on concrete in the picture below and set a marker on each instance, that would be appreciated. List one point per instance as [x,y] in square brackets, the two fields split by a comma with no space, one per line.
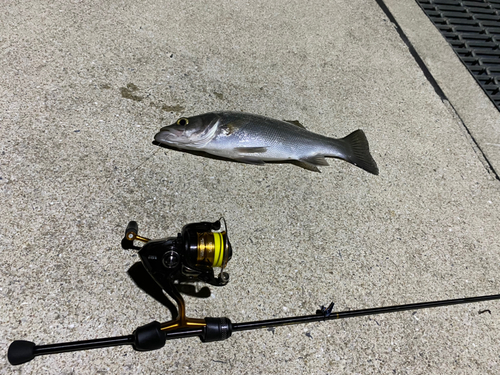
[255,139]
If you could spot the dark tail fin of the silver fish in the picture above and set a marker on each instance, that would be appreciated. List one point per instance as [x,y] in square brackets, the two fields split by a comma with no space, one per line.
[358,152]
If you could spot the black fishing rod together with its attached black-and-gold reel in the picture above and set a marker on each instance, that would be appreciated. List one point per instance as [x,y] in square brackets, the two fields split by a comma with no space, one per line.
[170,265]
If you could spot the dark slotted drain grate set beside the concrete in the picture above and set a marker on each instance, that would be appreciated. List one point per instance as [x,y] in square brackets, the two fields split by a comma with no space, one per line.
[473,30]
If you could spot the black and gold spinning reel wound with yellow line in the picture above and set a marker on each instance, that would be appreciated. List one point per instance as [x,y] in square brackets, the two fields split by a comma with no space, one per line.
[189,257]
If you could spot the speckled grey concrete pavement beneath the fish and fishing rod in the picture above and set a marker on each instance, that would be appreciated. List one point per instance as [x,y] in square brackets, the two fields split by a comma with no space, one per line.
[85,86]
